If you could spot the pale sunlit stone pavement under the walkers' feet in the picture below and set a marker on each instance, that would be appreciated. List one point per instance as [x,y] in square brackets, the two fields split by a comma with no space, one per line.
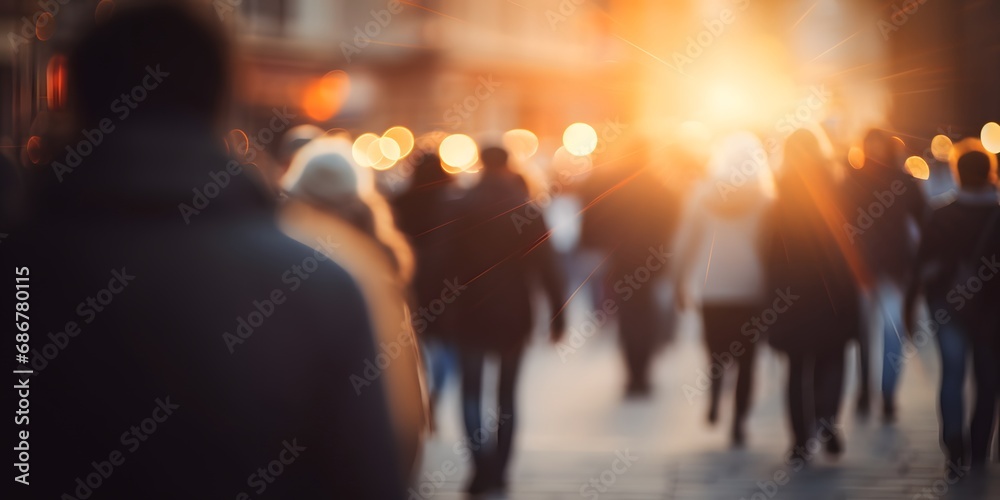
[574,426]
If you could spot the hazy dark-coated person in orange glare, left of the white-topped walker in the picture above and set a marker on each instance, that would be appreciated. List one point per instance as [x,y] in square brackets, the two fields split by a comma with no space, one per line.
[632,217]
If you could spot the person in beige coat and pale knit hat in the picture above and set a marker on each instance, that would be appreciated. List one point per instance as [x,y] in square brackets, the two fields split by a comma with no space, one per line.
[334,208]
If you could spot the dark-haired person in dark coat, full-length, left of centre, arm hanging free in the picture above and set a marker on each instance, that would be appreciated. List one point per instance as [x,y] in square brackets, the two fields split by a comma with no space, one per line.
[499,260]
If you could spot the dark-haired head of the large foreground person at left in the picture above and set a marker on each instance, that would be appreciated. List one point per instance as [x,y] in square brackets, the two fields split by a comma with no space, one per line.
[160,56]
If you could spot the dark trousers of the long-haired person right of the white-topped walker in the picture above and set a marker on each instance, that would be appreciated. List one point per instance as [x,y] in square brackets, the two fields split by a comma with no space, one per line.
[815,385]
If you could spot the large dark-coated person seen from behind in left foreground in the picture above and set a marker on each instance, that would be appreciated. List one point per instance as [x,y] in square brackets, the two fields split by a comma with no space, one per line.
[181,345]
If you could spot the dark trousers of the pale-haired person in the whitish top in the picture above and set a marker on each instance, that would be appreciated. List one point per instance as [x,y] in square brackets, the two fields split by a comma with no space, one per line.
[725,342]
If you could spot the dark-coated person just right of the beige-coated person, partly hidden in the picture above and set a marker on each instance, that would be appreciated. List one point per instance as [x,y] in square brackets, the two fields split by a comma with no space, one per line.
[427,214]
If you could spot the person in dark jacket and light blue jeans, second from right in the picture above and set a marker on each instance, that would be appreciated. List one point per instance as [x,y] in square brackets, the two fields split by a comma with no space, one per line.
[890,208]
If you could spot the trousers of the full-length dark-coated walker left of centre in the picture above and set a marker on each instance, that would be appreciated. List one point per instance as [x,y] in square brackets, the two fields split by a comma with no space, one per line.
[479,430]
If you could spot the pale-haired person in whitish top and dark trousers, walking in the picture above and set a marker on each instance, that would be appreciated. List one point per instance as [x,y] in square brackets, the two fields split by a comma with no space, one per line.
[720,247]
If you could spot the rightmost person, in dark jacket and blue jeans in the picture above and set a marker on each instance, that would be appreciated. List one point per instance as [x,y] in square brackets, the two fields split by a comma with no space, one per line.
[957,270]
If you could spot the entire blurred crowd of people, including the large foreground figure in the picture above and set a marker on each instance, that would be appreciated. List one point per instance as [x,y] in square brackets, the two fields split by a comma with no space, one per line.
[305,301]
